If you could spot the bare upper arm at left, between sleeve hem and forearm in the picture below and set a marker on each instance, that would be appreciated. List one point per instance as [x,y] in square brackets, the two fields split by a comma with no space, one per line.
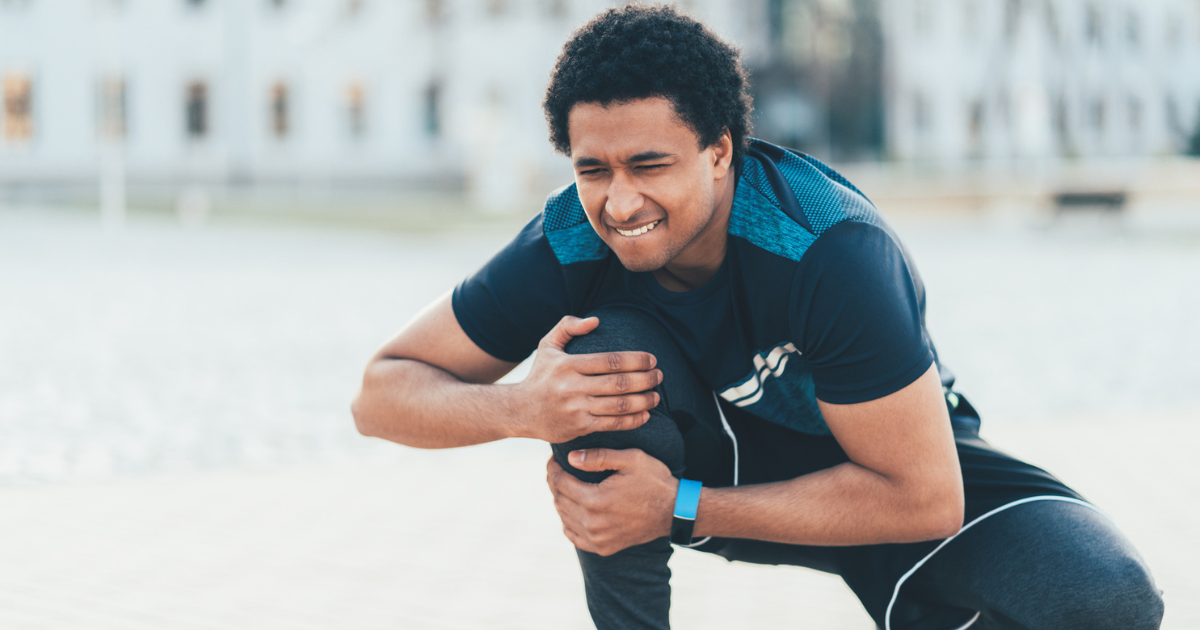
[436,338]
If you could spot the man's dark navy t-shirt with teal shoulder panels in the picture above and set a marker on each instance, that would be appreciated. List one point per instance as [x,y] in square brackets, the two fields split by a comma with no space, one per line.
[815,299]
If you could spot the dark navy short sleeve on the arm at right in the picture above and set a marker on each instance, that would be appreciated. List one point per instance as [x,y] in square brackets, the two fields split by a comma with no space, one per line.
[857,316]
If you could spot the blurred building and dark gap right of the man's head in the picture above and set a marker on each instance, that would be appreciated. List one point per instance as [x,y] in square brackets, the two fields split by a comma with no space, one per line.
[983,80]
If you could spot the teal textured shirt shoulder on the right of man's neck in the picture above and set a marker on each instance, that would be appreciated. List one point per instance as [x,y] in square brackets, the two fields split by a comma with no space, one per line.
[788,200]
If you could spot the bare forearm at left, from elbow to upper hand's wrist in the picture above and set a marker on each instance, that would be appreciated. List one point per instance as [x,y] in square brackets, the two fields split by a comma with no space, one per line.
[415,404]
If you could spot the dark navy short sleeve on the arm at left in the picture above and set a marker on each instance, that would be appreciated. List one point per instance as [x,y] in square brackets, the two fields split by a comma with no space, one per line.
[515,299]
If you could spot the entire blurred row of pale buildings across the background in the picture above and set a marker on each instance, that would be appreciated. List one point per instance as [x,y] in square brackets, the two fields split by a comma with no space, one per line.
[400,94]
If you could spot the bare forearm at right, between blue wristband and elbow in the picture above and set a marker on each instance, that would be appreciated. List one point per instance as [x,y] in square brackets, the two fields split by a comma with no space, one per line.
[847,505]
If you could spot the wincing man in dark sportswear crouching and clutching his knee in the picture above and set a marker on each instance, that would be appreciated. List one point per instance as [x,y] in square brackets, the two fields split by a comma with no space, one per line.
[733,357]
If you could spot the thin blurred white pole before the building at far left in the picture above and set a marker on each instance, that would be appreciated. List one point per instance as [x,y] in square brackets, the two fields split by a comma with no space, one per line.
[111,118]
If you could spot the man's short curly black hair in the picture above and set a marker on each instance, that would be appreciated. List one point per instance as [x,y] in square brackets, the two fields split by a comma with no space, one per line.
[640,52]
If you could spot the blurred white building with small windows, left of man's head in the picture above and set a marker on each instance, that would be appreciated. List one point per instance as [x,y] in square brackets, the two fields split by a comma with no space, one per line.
[308,93]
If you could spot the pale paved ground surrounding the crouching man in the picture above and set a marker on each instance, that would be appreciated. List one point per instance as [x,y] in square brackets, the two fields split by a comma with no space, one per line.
[176,449]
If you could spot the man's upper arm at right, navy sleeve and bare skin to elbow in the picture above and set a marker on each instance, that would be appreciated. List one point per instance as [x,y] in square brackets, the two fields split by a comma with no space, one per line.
[860,316]
